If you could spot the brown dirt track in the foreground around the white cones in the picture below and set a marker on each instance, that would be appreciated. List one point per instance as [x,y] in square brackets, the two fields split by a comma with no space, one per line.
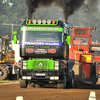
[80,92]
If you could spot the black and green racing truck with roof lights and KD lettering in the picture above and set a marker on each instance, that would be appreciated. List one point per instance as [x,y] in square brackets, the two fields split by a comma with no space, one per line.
[44,49]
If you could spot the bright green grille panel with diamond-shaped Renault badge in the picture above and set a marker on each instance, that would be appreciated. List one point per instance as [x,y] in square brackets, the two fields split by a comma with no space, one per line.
[40,64]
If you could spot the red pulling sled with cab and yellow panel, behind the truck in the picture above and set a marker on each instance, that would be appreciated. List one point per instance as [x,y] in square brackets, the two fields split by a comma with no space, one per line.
[81,49]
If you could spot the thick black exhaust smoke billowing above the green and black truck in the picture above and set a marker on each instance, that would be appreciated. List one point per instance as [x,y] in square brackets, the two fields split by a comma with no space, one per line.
[68,6]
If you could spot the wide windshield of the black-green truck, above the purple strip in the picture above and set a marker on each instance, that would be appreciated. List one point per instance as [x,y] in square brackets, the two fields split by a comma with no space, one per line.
[43,36]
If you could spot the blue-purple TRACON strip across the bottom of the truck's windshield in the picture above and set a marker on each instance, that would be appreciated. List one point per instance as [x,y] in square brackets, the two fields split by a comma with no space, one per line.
[42,43]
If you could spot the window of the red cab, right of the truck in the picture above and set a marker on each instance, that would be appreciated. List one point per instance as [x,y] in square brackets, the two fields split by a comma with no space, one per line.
[80,41]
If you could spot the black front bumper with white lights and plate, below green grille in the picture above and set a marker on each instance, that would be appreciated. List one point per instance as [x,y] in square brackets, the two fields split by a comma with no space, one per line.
[41,75]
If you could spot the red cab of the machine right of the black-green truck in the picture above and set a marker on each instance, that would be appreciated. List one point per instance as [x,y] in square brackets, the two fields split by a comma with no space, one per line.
[80,42]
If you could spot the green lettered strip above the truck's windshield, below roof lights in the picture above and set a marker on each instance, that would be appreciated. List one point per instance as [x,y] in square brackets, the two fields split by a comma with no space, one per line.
[54,29]
